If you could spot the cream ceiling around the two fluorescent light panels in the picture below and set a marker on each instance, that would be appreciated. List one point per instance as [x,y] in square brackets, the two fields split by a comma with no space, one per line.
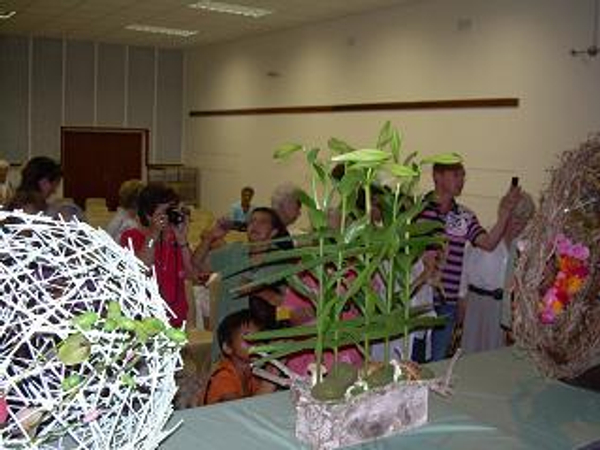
[104,20]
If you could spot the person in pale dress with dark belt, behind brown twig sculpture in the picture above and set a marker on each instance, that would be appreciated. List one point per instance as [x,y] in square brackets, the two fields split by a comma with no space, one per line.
[485,284]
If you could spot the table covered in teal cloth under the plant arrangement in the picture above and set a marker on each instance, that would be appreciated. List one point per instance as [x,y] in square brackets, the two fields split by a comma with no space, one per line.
[500,402]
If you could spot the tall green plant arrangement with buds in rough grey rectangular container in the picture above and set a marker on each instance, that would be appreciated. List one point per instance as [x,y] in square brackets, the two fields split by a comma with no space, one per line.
[364,261]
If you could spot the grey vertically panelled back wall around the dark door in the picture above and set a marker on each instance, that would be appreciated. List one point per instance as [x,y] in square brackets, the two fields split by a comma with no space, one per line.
[47,83]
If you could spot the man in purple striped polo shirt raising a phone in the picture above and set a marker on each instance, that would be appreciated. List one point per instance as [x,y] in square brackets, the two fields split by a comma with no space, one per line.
[460,226]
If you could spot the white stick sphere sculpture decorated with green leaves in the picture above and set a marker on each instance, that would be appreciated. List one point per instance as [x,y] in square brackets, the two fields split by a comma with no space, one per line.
[87,359]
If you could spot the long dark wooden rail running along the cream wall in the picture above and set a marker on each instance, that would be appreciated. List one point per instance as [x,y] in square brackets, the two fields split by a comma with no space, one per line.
[507,102]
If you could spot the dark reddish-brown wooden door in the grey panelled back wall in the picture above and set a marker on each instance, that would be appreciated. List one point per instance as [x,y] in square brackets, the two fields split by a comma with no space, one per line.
[96,161]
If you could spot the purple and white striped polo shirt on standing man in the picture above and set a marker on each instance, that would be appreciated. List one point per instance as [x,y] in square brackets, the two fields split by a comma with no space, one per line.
[460,225]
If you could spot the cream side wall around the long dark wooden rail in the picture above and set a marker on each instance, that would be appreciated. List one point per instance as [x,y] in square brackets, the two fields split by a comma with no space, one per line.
[430,49]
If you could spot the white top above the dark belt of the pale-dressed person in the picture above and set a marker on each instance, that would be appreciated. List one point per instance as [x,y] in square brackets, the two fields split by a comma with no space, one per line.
[485,270]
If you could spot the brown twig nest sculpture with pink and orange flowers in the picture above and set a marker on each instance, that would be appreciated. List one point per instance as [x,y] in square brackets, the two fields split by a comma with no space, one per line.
[557,279]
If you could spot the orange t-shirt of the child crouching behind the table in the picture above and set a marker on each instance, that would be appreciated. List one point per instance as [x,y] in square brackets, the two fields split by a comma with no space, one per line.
[225,380]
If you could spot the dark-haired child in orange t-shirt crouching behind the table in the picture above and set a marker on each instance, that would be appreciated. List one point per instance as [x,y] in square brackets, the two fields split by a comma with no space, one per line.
[232,377]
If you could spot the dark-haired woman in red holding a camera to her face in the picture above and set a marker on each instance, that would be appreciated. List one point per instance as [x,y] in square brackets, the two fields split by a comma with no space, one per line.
[160,241]
